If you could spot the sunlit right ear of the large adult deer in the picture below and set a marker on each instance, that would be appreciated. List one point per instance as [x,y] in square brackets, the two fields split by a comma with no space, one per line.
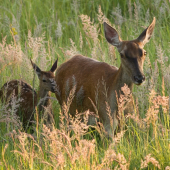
[147,33]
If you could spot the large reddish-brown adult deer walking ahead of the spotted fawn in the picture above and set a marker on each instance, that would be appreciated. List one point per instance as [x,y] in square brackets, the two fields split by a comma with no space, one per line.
[89,74]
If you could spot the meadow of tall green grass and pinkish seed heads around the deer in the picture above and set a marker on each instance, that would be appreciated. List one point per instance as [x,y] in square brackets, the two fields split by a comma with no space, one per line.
[45,30]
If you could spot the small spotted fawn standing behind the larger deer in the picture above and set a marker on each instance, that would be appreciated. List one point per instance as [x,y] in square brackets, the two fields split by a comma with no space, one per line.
[28,98]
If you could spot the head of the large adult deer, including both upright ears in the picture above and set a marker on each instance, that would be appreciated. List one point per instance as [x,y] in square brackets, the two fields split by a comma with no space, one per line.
[131,52]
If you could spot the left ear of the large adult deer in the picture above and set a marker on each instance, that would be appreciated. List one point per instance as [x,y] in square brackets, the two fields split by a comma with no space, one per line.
[112,36]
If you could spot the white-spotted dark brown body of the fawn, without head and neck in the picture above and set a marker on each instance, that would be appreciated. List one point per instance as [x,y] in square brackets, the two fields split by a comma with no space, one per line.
[22,91]
